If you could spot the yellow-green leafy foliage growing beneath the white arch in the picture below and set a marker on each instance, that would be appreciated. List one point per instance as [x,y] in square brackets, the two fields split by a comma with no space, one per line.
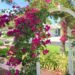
[54,60]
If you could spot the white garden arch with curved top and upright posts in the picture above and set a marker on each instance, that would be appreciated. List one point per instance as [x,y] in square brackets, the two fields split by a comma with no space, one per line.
[70,53]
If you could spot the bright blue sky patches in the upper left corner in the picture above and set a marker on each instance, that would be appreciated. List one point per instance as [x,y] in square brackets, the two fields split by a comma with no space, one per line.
[21,3]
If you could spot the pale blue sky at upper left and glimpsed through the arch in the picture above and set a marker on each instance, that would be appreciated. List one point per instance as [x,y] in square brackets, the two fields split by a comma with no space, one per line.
[20,3]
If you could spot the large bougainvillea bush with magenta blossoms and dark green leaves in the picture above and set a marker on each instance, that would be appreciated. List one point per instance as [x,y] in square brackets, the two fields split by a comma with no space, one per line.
[30,38]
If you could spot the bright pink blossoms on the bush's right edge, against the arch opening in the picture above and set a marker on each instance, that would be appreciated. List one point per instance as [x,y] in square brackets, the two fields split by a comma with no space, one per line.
[40,39]
